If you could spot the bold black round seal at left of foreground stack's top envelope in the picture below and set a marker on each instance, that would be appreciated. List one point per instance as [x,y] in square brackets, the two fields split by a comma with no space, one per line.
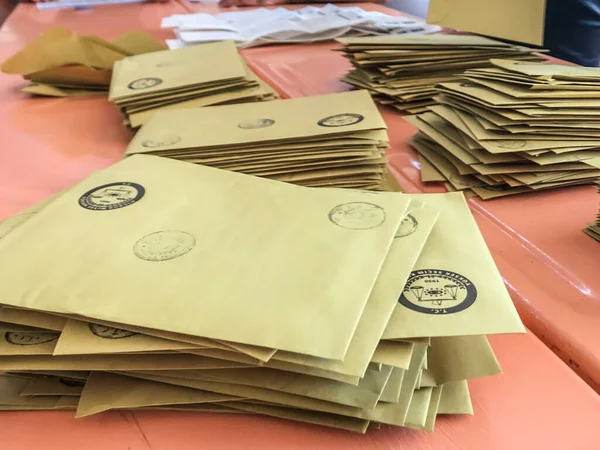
[112,196]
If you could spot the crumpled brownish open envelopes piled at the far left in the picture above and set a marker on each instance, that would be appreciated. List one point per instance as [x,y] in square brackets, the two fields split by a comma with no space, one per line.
[60,63]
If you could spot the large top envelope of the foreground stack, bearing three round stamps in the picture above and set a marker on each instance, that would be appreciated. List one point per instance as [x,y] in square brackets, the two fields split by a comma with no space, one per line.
[349,223]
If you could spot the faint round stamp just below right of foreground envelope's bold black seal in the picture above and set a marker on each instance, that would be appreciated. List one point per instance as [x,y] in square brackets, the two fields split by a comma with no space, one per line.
[164,245]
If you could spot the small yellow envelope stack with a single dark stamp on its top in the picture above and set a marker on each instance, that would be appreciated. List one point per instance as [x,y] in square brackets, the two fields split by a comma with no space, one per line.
[203,75]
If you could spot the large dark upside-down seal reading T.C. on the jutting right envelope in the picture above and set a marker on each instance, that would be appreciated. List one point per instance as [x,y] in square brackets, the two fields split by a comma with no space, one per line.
[437,292]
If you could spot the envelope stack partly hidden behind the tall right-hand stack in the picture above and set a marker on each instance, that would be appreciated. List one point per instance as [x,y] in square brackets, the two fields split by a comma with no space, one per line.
[402,71]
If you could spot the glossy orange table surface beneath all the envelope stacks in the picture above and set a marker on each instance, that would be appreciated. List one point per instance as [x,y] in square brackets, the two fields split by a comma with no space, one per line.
[539,402]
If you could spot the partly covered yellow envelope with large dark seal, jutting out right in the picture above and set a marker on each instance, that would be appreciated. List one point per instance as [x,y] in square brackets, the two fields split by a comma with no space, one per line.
[448,295]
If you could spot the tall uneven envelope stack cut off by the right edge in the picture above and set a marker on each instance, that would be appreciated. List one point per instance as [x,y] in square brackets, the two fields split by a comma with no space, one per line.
[515,128]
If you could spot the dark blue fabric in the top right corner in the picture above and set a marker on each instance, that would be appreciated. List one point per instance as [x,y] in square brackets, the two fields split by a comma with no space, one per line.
[572,31]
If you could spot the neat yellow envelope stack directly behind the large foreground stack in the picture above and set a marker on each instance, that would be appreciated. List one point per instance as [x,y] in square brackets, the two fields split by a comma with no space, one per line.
[331,140]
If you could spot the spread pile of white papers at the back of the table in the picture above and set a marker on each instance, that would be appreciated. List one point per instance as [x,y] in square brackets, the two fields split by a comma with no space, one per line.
[284,26]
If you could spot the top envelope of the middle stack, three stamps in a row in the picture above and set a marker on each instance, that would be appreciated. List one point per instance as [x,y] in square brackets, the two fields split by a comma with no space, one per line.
[258,123]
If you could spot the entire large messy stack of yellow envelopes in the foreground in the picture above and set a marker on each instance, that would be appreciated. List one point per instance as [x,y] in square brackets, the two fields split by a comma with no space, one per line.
[201,289]
